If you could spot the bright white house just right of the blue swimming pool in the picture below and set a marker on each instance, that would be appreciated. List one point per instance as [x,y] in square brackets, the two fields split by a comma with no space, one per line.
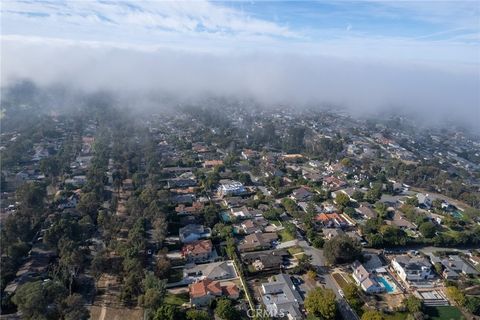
[412,268]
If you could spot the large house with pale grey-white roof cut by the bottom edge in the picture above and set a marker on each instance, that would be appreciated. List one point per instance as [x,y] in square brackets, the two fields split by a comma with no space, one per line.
[281,298]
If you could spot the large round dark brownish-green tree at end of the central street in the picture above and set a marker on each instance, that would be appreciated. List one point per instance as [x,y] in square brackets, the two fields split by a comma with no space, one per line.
[342,249]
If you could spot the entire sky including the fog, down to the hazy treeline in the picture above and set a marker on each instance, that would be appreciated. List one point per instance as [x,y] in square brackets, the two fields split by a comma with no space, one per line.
[361,54]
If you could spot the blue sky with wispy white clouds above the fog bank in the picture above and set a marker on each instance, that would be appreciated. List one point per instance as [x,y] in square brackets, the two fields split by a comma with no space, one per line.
[431,32]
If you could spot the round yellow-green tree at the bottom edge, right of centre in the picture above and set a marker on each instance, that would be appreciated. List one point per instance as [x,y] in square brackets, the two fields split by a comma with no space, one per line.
[321,303]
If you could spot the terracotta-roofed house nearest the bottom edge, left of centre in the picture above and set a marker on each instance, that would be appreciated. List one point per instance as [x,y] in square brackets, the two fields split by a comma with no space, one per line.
[203,292]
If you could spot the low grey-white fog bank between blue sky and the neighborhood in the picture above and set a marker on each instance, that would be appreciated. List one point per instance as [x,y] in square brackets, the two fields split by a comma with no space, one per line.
[167,77]
